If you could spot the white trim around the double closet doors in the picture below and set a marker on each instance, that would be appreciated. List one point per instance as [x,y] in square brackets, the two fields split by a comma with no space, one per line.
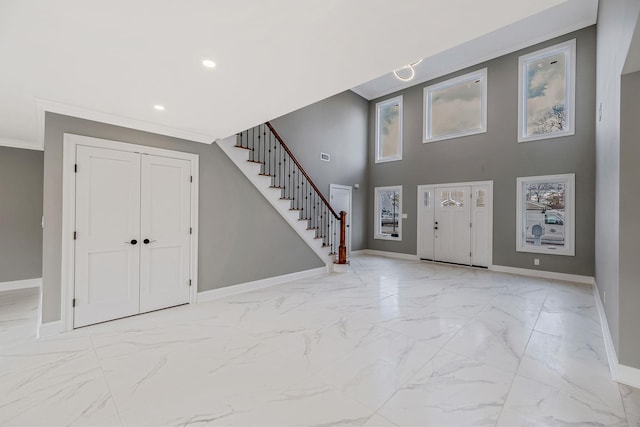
[70,142]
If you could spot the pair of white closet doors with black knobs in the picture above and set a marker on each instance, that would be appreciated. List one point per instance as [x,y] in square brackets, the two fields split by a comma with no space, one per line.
[132,247]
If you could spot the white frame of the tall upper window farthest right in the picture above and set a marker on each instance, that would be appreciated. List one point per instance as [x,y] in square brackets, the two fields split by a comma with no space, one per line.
[569,49]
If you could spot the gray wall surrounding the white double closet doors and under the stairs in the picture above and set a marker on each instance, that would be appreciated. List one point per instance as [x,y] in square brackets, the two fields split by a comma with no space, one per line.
[241,237]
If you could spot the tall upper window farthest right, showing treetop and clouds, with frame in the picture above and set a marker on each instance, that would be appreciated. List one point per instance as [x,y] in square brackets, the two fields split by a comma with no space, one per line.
[547,93]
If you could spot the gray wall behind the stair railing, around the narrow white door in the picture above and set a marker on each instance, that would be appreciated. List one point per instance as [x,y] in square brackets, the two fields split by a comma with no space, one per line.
[338,126]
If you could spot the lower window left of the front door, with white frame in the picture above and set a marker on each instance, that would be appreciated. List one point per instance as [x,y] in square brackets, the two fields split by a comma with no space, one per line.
[388,209]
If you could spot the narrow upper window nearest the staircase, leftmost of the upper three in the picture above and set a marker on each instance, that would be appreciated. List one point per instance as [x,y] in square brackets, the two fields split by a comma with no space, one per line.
[389,130]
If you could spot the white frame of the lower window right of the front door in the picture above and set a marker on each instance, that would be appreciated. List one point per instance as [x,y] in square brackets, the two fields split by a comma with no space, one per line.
[569,216]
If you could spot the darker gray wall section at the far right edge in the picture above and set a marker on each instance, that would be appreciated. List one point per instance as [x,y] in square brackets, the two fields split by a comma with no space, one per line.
[629,350]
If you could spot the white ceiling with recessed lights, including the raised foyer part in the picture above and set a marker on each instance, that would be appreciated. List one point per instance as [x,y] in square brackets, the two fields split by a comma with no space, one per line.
[113,60]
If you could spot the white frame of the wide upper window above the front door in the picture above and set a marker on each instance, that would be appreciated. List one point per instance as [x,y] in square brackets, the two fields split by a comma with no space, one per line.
[427,100]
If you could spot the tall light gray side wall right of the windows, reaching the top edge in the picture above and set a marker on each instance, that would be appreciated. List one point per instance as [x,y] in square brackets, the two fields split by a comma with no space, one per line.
[616,24]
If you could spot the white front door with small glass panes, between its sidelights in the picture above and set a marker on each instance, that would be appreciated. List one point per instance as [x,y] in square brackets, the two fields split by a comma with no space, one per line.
[452,224]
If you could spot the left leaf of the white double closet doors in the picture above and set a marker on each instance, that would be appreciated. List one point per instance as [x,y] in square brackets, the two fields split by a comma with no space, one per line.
[107,245]
